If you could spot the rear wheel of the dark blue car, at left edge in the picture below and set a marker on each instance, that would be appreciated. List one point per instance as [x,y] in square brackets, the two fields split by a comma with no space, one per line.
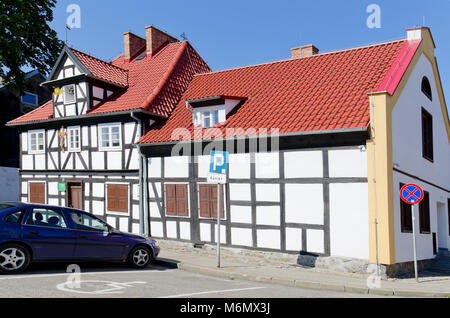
[13,258]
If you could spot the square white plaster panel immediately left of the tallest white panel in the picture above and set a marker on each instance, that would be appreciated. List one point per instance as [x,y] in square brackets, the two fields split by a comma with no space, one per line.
[304,203]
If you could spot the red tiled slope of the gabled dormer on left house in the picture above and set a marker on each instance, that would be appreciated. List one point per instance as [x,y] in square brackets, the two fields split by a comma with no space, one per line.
[103,70]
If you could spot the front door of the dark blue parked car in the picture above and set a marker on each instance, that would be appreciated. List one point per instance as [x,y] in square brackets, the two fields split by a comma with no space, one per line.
[94,240]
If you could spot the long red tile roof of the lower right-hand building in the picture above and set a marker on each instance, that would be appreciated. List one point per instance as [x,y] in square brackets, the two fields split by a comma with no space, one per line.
[322,92]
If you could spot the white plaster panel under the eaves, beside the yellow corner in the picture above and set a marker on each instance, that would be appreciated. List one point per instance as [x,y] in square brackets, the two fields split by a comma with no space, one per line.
[347,163]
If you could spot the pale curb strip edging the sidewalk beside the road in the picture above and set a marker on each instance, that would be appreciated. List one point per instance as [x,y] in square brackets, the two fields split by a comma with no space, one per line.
[295,283]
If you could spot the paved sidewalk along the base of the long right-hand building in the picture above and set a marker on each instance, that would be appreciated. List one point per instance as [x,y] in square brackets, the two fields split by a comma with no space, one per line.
[259,269]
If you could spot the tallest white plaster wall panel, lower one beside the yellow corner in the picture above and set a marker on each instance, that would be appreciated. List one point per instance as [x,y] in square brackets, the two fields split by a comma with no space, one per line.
[349,220]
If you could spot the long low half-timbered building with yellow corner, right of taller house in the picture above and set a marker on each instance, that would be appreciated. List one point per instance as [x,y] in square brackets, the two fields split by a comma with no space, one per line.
[319,145]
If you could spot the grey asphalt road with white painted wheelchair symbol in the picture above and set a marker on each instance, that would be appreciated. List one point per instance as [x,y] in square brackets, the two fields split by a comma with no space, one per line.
[51,280]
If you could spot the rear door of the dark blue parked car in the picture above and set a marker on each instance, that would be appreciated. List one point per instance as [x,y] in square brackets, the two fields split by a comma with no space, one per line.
[47,232]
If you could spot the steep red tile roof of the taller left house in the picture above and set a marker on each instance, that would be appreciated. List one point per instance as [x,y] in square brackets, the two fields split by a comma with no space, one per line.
[154,83]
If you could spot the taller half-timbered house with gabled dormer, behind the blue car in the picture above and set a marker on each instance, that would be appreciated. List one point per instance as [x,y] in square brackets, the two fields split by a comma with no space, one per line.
[79,148]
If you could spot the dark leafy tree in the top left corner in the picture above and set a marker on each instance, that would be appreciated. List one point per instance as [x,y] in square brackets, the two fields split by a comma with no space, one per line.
[26,39]
